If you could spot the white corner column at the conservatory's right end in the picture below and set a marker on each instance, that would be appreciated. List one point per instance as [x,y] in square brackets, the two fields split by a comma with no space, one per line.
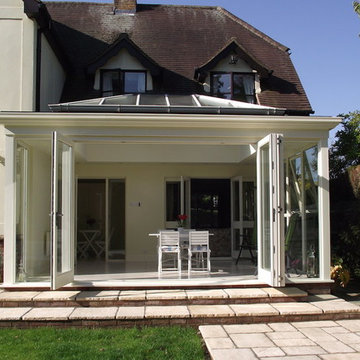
[324,210]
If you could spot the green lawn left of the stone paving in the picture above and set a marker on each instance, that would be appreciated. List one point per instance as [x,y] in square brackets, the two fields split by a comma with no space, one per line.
[148,343]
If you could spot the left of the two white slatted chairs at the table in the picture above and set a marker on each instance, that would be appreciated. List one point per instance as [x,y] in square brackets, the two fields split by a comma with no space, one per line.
[169,243]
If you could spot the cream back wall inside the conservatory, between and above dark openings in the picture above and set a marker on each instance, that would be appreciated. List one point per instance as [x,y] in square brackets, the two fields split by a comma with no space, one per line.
[145,196]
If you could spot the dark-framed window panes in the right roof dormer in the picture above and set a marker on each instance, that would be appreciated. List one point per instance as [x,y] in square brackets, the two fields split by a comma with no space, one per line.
[233,86]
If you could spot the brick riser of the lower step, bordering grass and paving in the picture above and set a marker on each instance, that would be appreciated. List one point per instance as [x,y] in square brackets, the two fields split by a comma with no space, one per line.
[194,322]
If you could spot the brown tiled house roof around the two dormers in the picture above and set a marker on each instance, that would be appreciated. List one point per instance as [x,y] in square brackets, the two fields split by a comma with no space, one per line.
[177,38]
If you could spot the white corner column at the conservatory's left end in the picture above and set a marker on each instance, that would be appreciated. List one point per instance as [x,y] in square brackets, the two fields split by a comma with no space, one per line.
[10,215]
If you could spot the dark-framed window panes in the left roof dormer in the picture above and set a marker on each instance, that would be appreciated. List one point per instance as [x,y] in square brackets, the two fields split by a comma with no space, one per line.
[117,82]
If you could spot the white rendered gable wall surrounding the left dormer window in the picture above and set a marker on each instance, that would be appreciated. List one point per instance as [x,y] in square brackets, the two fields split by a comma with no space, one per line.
[124,61]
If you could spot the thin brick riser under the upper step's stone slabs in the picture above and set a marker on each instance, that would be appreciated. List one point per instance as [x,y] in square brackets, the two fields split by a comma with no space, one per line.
[163,302]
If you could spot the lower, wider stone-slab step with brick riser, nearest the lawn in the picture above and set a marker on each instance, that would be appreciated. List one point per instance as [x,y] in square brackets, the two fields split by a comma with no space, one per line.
[322,307]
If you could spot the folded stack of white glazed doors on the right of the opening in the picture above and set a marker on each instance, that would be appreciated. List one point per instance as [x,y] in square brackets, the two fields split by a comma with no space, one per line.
[271,264]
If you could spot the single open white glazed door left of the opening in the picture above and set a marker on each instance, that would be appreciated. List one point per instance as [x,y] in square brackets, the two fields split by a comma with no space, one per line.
[62,249]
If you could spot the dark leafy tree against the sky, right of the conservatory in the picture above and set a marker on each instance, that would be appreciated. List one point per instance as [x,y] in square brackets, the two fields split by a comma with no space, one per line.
[345,151]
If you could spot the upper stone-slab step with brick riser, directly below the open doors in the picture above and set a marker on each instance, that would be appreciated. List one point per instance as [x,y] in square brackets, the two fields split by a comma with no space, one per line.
[154,297]
